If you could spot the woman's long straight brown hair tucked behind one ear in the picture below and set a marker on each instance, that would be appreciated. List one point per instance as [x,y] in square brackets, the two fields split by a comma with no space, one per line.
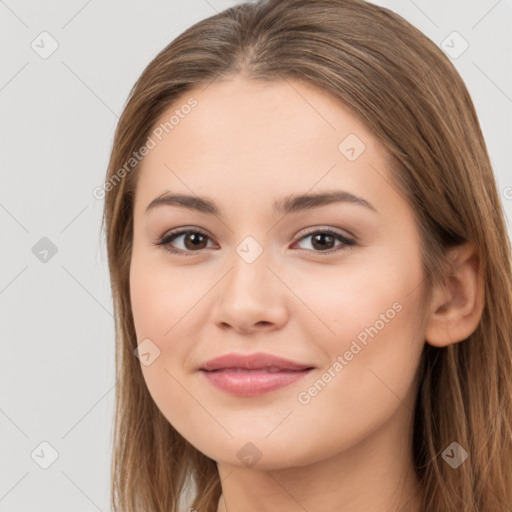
[413,100]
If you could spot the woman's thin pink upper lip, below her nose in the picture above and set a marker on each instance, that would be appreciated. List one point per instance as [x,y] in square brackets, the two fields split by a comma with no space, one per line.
[257,361]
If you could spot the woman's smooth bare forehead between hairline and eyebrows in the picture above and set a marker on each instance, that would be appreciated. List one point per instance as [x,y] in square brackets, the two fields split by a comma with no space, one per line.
[250,139]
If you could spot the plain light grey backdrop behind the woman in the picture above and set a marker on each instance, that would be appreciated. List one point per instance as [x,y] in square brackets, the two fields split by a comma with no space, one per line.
[59,114]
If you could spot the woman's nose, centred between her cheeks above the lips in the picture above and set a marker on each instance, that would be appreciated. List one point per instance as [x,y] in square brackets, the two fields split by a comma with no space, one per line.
[250,298]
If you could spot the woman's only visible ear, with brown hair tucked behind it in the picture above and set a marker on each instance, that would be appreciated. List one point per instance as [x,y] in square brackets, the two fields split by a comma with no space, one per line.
[456,308]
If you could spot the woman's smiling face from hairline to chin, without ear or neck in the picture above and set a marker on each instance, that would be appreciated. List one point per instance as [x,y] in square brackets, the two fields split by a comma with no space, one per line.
[334,286]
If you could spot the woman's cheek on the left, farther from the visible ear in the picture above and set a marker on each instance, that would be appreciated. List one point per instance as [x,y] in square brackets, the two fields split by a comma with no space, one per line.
[167,309]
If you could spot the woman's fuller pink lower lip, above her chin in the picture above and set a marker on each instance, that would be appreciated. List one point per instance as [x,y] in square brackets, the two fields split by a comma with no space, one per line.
[252,382]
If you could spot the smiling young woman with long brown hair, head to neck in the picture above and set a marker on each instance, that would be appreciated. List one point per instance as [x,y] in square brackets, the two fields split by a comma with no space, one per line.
[311,273]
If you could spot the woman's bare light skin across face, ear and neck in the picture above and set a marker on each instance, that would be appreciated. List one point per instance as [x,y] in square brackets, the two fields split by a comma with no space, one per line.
[244,146]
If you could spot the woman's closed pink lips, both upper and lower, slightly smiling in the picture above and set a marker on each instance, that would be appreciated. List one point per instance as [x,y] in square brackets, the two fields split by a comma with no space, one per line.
[254,374]
